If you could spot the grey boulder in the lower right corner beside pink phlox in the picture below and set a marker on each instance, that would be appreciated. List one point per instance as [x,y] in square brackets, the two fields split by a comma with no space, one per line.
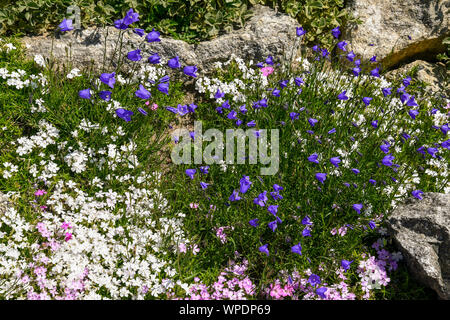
[421,229]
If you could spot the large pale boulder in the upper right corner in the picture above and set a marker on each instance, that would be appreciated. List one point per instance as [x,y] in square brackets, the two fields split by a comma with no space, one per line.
[399,31]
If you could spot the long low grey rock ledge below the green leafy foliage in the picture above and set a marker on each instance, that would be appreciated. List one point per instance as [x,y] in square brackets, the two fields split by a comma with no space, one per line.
[266,33]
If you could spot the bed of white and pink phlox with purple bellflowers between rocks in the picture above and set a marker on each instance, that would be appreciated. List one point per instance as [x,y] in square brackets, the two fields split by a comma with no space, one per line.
[97,209]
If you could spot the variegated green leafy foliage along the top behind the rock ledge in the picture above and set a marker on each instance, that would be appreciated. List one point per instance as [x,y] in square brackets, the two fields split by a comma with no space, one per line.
[192,21]
